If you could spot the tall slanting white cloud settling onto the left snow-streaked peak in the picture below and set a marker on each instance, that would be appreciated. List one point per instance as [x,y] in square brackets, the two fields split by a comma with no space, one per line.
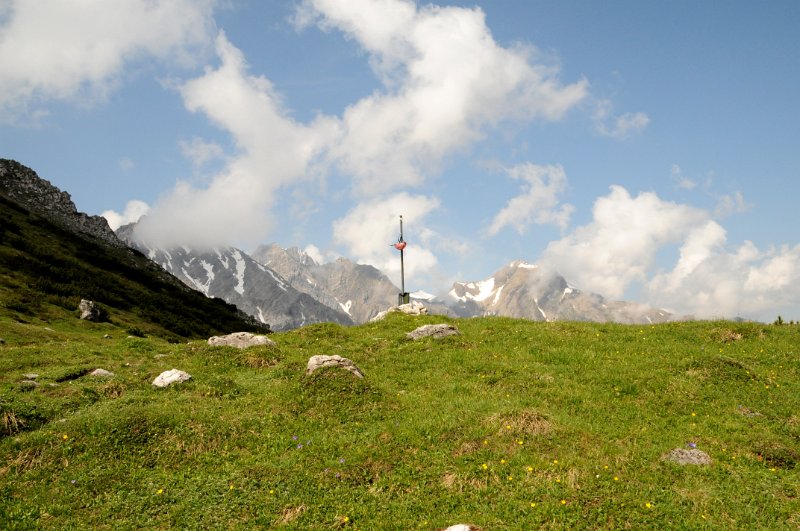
[273,150]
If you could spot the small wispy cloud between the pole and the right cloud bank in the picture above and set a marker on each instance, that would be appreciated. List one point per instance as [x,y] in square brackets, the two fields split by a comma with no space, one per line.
[539,201]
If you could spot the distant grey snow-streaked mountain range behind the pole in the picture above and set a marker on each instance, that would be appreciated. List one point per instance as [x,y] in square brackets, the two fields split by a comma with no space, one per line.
[287,288]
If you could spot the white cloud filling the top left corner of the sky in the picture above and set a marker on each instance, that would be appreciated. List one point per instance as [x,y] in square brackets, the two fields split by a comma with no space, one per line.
[55,49]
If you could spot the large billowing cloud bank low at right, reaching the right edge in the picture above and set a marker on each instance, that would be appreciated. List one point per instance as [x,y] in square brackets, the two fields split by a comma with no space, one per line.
[710,278]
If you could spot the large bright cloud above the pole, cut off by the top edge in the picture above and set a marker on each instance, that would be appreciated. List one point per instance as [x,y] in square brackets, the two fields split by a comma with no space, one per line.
[446,81]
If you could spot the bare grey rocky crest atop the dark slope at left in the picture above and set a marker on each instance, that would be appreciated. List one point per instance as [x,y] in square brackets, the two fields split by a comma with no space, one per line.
[22,185]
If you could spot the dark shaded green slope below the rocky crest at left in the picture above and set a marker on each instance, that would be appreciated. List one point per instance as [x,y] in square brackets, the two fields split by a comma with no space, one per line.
[45,270]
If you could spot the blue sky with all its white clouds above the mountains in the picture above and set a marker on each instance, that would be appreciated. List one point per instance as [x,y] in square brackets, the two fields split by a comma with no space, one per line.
[645,150]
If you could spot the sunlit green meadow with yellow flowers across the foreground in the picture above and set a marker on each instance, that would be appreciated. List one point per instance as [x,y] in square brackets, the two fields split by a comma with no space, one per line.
[511,425]
